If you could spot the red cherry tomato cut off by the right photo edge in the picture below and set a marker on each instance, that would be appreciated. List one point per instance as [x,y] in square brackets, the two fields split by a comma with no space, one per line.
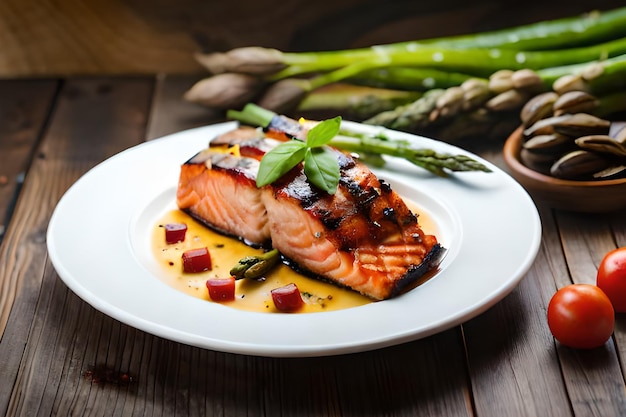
[611,278]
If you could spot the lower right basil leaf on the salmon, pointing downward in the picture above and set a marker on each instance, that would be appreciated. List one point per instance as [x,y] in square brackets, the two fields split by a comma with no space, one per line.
[322,168]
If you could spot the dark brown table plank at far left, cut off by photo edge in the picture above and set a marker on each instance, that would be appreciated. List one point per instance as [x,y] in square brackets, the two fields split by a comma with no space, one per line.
[24,108]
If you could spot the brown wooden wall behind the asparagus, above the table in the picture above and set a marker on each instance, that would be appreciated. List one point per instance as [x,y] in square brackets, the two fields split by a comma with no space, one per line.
[44,38]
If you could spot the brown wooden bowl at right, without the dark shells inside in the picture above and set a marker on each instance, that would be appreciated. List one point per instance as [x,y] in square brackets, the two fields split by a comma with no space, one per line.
[579,196]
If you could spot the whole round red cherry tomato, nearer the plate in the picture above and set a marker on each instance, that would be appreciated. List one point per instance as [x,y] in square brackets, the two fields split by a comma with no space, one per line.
[581,316]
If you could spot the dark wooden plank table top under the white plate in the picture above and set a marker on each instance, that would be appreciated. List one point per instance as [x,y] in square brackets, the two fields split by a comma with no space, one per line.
[60,356]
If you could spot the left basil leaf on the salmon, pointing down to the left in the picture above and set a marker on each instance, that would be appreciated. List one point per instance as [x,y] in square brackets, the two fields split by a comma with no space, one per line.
[279,161]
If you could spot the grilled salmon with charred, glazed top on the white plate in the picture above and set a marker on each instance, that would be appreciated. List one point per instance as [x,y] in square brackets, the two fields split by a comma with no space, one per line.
[363,237]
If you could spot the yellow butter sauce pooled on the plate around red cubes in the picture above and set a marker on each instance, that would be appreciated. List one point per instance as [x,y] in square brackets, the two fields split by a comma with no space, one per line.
[251,295]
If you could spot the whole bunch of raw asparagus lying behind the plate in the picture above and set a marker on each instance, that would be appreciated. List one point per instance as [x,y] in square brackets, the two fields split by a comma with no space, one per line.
[449,88]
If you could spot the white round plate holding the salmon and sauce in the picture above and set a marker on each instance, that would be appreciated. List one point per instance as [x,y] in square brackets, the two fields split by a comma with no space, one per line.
[98,241]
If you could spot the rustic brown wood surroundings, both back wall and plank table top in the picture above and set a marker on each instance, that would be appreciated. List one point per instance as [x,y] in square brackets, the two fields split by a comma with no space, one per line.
[80,81]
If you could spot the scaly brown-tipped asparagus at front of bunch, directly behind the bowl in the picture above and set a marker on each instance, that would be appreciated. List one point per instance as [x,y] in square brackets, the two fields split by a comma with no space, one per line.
[490,108]
